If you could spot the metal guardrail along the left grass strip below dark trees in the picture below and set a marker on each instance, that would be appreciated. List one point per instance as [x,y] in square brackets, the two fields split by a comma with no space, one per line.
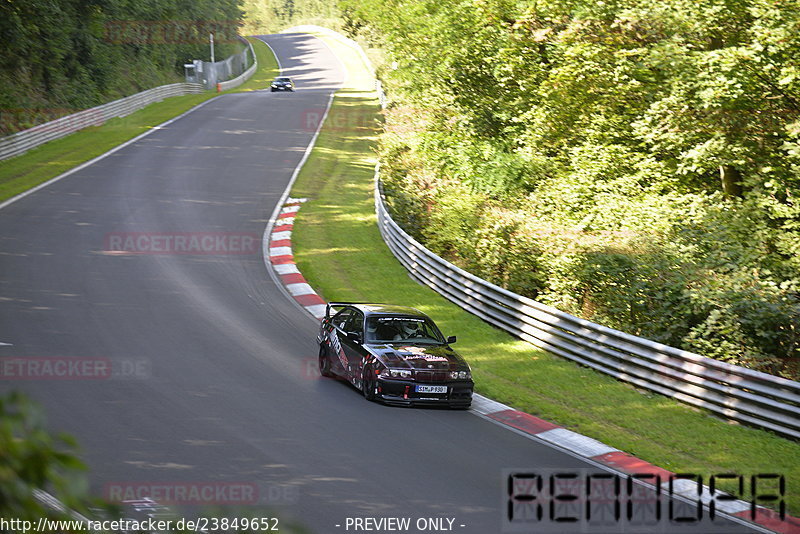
[20,142]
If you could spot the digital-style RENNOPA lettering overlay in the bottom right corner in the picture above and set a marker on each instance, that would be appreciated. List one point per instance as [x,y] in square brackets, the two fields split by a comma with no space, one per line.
[548,500]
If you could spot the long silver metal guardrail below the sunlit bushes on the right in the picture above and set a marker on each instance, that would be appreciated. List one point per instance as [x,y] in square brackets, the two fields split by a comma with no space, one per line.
[731,391]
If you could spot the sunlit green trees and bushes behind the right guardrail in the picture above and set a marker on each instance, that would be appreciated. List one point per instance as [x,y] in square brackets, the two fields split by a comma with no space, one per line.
[633,163]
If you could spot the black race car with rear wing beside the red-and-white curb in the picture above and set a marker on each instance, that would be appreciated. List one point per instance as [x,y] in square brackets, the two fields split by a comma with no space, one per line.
[393,354]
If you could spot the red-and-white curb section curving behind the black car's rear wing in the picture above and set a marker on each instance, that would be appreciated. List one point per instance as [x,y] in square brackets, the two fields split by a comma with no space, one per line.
[281,258]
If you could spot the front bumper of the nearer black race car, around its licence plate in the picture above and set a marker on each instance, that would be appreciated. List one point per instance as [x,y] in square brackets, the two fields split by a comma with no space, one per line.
[403,392]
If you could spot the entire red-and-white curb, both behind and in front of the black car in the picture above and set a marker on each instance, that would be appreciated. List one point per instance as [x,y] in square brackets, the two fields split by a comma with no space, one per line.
[281,258]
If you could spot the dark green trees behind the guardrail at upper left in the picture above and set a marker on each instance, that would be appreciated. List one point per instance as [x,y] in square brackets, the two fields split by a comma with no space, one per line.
[60,56]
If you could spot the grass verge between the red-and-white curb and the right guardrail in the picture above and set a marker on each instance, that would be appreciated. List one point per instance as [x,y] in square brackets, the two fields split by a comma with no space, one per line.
[339,250]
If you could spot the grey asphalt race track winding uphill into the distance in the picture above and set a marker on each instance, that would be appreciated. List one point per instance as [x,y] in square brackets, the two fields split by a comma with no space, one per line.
[219,385]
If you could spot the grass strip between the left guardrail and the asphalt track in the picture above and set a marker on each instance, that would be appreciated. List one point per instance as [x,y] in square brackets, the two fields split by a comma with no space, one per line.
[51,159]
